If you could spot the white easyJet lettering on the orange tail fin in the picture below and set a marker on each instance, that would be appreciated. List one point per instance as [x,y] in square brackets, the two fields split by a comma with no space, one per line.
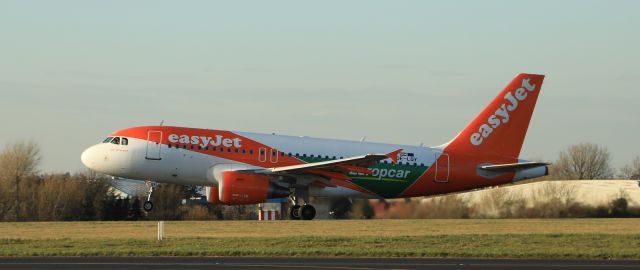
[501,115]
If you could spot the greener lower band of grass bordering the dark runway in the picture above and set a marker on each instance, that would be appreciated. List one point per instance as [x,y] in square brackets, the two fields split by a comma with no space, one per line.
[592,246]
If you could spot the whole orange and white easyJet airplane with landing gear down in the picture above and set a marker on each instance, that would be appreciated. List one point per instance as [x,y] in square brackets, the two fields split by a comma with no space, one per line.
[250,168]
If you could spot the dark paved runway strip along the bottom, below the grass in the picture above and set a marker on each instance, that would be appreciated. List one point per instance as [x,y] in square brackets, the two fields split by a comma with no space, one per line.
[184,263]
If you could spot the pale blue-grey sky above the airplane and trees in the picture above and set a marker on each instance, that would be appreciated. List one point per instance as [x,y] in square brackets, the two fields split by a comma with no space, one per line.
[395,71]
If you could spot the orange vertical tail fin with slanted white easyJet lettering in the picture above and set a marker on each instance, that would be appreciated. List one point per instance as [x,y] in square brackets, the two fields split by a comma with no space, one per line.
[500,128]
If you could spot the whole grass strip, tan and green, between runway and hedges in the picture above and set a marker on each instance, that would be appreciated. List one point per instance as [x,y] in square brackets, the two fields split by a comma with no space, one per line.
[520,238]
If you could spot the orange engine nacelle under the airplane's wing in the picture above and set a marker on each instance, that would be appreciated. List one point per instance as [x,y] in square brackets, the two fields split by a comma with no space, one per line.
[247,188]
